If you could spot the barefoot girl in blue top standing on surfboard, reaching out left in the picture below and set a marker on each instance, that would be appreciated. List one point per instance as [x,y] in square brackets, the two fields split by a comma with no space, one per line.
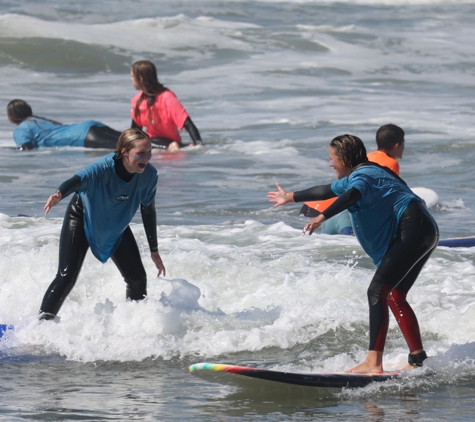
[394,228]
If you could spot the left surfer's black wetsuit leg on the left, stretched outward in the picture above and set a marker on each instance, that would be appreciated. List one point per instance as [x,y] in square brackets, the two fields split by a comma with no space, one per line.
[73,246]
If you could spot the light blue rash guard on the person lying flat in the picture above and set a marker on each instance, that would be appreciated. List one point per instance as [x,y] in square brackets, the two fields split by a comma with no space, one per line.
[44,133]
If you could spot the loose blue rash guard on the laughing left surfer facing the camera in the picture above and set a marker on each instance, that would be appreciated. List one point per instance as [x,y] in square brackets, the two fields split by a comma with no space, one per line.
[110,203]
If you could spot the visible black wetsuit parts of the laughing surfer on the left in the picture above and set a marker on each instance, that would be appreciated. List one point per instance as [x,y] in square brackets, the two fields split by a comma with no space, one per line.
[73,247]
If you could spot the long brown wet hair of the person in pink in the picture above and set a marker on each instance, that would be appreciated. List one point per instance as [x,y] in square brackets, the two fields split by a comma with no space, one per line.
[145,74]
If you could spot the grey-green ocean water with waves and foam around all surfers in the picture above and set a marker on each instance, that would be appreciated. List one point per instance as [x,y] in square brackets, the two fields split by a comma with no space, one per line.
[268,84]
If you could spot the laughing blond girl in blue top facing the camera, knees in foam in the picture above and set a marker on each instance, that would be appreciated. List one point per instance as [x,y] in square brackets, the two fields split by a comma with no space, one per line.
[108,194]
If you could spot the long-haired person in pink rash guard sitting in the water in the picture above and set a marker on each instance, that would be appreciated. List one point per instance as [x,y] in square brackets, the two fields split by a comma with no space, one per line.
[158,111]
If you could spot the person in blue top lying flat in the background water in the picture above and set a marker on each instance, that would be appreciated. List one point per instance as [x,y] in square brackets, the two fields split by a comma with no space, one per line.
[34,131]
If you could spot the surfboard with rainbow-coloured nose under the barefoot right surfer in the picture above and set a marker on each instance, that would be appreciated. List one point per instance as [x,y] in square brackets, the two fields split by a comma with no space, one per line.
[312,379]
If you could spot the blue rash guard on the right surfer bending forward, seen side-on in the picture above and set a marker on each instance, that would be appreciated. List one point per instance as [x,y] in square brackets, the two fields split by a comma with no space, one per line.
[375,216]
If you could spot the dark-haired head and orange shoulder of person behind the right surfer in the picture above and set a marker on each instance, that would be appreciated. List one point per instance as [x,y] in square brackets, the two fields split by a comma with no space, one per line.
[390,141]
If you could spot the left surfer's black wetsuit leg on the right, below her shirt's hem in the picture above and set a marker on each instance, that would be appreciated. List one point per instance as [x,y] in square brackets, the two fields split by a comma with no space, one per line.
[128,261]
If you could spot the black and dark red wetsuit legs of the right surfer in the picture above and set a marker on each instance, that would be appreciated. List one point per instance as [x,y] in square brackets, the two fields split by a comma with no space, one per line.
[416,239]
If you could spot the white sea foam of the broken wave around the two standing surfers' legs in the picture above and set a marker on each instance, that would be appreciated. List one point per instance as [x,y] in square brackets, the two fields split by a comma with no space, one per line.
[229,288]
